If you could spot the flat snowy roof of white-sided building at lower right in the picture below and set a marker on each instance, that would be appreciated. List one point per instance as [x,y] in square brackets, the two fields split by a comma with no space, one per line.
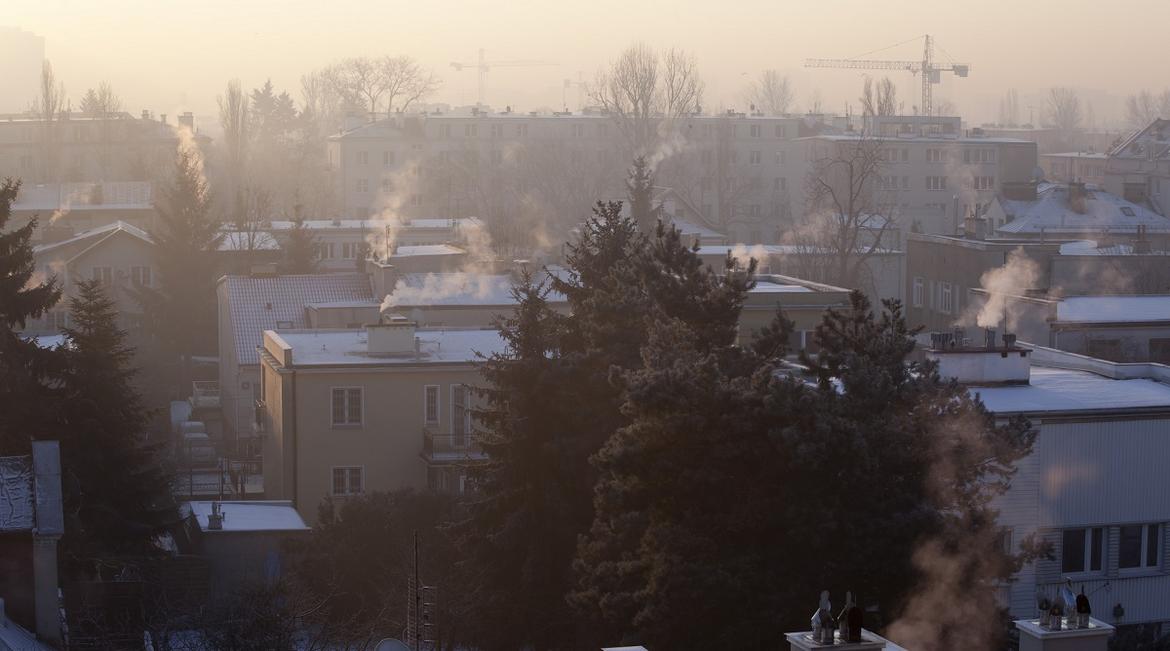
[1073,390]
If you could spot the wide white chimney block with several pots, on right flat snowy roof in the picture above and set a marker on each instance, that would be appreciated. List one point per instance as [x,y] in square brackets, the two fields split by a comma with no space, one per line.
[979,366]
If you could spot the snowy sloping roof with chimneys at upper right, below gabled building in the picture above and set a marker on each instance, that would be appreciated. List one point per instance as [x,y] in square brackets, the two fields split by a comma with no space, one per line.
[1052,214]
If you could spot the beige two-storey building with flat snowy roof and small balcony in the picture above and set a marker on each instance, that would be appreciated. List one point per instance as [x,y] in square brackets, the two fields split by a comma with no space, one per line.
[376,409]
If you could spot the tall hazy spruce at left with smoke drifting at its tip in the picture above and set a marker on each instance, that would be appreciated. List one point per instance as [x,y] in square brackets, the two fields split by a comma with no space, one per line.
[181,313]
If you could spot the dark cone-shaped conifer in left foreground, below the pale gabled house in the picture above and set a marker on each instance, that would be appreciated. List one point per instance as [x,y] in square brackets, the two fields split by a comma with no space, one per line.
[118,490]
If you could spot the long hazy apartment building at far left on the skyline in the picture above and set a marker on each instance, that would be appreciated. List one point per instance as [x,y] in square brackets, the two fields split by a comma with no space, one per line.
[82,148]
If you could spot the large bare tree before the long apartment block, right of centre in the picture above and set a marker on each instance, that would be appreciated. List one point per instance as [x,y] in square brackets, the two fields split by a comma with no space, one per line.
[850,209]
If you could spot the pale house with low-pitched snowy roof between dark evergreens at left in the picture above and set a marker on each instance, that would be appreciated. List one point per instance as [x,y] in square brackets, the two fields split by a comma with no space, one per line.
[119,255]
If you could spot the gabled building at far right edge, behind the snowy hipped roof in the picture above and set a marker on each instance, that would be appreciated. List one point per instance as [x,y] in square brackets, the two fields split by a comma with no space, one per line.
[1138,168]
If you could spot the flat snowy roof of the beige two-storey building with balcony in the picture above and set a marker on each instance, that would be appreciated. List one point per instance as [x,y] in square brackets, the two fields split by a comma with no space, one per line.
[439,346]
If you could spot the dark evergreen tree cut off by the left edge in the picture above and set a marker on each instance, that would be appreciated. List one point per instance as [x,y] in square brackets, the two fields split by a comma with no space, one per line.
[25,369]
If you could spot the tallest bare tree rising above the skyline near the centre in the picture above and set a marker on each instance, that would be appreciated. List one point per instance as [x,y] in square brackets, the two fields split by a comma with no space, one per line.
[648,92]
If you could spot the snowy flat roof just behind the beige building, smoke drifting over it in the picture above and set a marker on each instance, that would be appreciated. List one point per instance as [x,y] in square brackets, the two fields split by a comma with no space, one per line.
[459,289]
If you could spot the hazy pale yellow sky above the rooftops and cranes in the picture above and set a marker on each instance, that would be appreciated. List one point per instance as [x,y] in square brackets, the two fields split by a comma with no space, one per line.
[169,56]
